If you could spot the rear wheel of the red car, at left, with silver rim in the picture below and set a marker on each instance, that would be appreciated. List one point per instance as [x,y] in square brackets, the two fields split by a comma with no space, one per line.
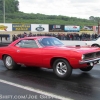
[9,63]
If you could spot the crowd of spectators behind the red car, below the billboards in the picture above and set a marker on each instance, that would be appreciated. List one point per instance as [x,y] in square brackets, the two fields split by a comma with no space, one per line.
[61,36]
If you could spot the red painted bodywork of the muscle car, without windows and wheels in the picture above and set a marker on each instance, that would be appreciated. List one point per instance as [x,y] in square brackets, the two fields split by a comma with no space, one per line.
[42,56]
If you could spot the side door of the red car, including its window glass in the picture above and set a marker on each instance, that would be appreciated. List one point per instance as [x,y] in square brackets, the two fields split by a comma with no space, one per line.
[28,53]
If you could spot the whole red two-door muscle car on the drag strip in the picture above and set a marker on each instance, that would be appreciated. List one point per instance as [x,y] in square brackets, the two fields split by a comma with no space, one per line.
[49,52]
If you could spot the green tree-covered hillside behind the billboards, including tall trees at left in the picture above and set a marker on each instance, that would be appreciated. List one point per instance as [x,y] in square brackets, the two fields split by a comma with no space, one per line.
[13,15]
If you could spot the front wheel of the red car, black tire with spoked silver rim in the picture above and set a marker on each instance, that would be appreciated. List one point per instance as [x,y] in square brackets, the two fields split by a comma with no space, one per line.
[62,68]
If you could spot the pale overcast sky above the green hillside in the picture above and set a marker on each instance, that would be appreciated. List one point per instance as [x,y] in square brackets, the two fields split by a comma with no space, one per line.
[71,8]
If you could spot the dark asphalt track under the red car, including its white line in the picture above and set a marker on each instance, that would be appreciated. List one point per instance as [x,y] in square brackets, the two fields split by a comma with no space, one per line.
[80,86]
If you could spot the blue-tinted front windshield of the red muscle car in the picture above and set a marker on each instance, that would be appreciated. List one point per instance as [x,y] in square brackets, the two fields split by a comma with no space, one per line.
[50,42]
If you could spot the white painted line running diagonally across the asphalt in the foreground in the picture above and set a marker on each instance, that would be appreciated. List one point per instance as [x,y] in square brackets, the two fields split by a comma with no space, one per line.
[35,90]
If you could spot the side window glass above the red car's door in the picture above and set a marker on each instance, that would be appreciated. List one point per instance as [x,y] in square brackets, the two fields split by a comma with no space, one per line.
[27,44]
